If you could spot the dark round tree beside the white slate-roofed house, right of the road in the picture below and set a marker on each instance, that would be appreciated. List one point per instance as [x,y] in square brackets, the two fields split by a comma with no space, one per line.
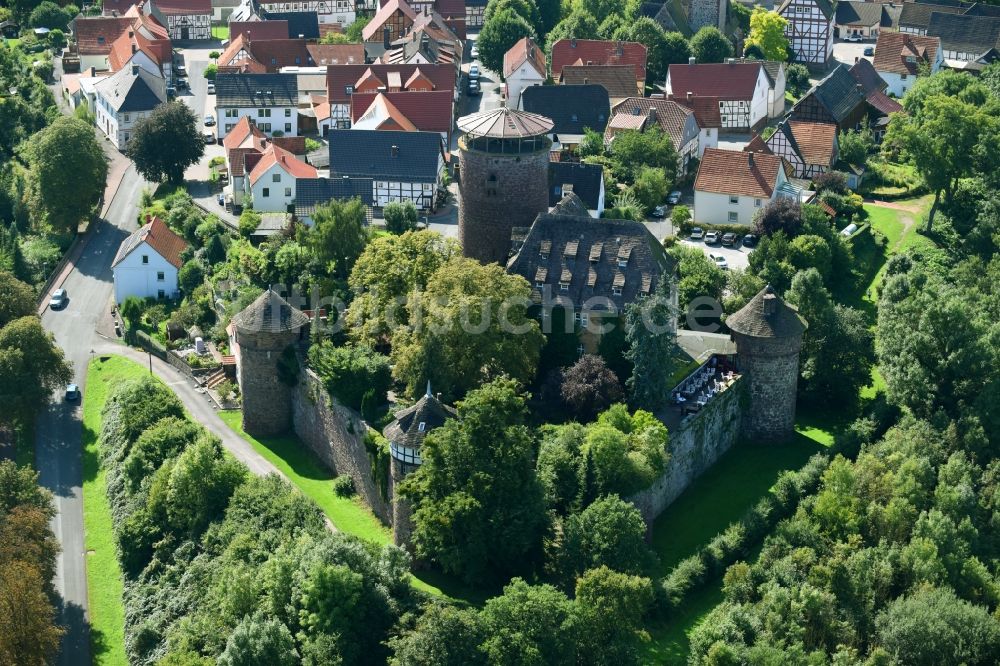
[166,142]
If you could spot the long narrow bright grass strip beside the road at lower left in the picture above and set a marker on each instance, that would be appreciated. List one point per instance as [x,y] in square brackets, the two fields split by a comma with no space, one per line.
[104,577]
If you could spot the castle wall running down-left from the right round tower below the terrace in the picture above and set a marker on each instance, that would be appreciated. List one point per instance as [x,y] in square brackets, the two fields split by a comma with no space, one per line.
[693,448]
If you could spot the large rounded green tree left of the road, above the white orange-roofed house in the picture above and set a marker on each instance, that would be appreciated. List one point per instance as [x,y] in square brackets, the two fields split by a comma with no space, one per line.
[68,170]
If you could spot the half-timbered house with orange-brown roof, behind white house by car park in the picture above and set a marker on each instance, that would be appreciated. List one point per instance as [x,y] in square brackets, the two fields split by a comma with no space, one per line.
[810,148]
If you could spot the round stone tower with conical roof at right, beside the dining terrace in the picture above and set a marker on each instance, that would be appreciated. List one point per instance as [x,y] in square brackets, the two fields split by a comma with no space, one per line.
[768,336]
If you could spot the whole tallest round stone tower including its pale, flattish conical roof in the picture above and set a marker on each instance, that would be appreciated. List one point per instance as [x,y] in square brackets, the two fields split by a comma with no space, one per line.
[504,172]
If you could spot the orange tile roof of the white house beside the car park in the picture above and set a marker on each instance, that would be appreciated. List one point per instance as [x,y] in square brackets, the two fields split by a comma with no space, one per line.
[738,172]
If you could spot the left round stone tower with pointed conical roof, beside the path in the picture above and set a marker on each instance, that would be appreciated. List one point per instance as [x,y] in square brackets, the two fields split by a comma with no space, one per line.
[263,331]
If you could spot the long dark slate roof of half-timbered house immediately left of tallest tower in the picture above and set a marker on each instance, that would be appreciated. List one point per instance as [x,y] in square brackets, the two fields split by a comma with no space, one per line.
[371,154]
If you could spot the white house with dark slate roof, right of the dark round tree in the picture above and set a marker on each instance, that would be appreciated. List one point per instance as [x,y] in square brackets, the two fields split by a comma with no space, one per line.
[270,100]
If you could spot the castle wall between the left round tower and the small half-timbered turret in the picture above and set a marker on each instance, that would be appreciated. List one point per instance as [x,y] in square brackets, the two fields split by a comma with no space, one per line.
[336,434]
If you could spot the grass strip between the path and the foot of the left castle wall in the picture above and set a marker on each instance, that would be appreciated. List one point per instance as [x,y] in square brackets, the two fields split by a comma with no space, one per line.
[349,515]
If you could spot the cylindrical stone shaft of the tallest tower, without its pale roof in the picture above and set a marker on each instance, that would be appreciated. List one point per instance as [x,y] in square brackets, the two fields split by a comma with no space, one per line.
[485,220]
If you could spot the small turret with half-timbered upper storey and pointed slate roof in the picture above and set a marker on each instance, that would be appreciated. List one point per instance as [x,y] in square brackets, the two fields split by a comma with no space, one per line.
[406,435]
